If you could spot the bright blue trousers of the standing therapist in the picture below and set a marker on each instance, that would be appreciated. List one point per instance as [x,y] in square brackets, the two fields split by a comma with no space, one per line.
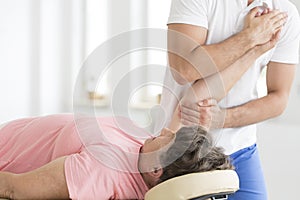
[248,167]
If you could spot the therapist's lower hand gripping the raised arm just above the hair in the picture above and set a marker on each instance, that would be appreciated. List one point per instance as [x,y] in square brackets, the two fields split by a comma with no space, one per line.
[206,113]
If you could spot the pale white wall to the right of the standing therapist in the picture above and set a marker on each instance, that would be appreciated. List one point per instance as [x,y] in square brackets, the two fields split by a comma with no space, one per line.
[279,141]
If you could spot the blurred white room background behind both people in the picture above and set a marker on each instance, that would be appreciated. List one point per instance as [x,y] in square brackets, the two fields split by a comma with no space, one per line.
[44,43]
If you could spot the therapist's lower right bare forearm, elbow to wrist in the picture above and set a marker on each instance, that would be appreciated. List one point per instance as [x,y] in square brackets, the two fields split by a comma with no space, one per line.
[256,111]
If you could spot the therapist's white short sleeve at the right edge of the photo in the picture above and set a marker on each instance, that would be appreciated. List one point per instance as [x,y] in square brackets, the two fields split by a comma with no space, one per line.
[287,49]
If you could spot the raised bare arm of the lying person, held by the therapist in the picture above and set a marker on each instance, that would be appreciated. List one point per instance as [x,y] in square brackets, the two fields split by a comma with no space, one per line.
[218,85]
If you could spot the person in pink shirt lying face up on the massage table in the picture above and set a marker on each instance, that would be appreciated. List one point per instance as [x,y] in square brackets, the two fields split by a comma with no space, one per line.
[52,157]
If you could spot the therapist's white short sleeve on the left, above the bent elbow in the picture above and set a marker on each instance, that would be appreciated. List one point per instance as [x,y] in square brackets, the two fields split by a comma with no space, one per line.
[192,12]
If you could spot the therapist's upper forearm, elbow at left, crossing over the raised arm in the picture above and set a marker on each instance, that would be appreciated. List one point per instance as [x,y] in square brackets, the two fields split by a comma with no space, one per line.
[202,61]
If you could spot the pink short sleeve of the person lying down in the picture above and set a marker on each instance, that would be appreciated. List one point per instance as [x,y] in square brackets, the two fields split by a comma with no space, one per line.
[88,179]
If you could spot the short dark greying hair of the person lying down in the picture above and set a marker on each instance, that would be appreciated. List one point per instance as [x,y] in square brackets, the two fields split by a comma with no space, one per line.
[195,152]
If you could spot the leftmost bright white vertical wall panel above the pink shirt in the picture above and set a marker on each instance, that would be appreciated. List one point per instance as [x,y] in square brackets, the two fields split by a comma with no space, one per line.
[14,58]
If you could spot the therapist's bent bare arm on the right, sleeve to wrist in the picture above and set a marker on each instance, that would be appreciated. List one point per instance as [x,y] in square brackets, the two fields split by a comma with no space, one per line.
[279,81]
